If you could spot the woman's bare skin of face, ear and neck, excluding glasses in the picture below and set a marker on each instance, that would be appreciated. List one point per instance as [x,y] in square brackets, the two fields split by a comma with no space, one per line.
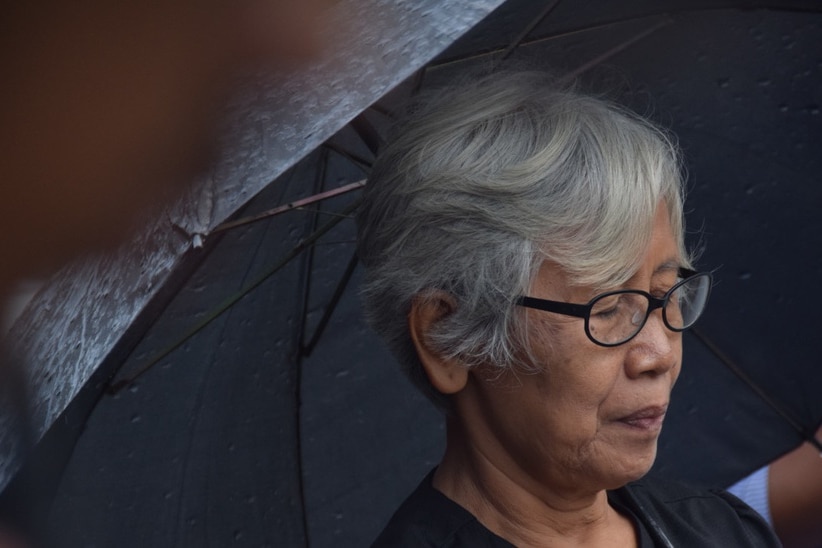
[531,455]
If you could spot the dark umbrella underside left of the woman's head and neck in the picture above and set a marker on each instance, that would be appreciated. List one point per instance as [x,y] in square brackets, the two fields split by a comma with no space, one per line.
[246,434]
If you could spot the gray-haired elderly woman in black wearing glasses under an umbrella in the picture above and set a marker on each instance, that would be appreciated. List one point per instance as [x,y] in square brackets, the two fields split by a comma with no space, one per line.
[525,261]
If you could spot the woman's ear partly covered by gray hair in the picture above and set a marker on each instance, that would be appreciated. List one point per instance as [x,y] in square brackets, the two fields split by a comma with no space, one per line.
[447,375]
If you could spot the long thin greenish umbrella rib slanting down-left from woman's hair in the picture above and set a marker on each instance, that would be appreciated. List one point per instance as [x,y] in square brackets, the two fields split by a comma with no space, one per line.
[310,240]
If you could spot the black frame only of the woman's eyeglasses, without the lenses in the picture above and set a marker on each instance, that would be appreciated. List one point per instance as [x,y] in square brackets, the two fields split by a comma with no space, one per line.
[584,310]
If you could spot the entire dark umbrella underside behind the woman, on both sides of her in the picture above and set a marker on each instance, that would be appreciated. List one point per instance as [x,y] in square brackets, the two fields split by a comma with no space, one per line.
[238,437]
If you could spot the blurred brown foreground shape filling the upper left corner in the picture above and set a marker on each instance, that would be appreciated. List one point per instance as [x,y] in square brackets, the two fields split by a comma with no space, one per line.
[106,105]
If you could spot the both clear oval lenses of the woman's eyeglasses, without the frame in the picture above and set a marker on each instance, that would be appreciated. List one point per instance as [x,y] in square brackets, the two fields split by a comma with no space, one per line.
[617,317]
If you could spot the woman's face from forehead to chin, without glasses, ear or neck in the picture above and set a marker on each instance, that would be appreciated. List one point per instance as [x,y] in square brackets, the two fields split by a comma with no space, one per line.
[590,419]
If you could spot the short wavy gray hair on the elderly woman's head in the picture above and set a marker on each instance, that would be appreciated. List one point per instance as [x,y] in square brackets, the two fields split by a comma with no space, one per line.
[485,181]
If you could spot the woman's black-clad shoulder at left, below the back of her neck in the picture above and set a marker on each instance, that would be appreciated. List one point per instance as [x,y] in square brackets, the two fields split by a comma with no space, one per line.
[429,518]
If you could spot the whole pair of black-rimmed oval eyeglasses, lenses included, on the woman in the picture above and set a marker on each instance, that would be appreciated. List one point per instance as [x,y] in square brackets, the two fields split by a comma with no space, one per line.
[616,317]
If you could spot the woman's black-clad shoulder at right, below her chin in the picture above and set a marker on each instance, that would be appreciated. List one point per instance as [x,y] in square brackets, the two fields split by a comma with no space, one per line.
[699,517]
